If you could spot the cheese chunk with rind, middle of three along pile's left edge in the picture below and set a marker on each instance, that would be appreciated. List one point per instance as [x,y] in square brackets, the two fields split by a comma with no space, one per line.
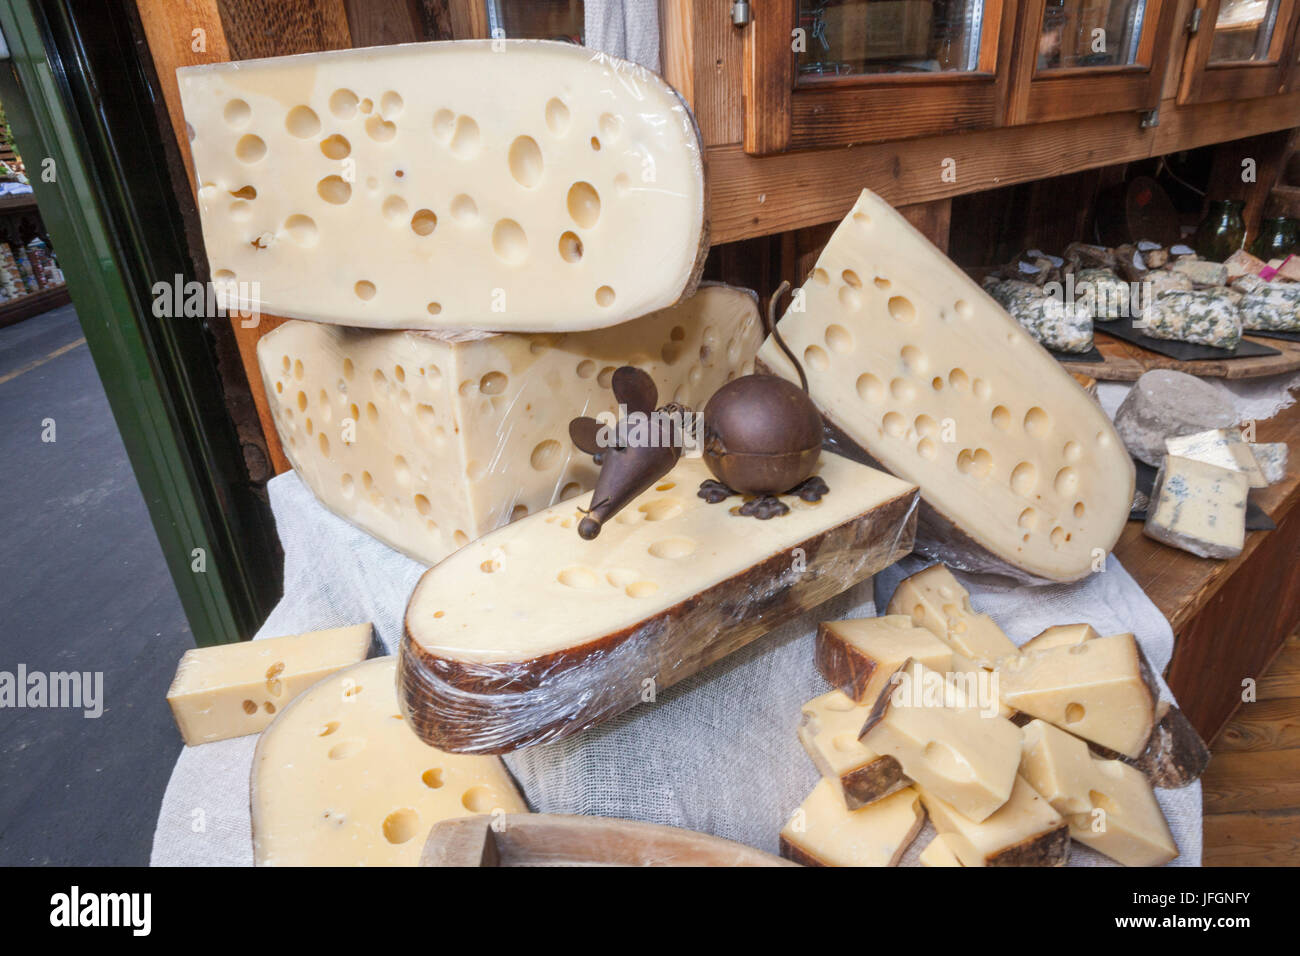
[829,730]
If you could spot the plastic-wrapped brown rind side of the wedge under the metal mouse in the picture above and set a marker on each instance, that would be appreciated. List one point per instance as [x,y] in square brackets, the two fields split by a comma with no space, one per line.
[474,707]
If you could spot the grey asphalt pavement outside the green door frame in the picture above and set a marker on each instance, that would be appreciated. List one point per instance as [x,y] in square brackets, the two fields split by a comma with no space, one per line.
[83,590]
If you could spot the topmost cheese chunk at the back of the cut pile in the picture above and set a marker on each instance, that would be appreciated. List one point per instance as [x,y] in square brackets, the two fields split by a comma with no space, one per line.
[937,602]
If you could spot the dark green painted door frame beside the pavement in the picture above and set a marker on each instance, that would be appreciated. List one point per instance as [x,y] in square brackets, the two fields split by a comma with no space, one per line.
[159,374]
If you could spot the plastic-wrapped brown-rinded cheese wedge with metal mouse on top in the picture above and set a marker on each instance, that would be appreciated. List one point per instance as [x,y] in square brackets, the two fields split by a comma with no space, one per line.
[532,634]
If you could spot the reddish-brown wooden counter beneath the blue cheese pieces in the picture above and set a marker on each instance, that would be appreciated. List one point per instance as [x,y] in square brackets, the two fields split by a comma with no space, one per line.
[1230,618]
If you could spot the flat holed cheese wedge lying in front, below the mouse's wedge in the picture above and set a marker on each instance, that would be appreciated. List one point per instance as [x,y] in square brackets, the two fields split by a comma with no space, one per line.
[340,780]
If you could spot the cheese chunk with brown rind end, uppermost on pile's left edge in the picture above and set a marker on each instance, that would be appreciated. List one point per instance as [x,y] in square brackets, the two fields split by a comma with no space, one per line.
[860,656]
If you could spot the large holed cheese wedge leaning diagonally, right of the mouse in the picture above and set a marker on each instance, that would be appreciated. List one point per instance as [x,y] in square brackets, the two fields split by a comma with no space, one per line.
[918,369]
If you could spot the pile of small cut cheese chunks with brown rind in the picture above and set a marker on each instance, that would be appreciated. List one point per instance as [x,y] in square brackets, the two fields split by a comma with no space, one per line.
[1011,760]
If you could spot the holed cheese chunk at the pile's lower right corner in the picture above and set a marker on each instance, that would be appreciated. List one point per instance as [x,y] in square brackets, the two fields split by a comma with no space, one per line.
[1110,804]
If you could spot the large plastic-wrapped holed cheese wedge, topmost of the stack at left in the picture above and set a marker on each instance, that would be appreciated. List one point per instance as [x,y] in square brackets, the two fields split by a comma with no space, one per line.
[558,189]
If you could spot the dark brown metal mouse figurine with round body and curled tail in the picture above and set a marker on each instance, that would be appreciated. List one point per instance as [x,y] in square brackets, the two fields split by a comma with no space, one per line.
[762,438]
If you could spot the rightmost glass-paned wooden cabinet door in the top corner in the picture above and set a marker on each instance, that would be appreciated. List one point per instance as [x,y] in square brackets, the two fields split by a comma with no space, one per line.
[1240,50]
